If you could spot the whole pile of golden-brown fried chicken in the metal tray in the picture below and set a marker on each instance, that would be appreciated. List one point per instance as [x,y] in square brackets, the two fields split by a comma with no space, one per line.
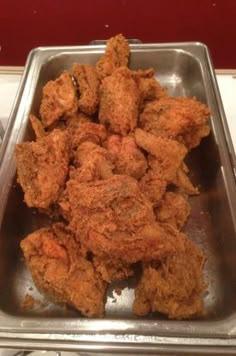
[108,159]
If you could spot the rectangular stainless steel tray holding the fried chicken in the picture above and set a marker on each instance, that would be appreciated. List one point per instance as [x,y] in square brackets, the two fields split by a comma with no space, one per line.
[185,69]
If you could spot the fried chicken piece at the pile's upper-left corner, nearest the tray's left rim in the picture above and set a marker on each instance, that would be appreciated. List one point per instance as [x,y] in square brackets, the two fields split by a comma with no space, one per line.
[59,99]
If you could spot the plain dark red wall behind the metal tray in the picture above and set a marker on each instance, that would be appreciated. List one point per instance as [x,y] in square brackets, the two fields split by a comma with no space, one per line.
[30,23]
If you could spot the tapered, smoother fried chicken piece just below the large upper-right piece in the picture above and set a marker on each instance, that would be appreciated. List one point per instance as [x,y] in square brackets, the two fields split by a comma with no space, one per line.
[166,154]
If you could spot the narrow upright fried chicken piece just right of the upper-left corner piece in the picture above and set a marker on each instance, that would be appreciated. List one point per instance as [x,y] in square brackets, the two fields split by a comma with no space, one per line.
[88,84]
